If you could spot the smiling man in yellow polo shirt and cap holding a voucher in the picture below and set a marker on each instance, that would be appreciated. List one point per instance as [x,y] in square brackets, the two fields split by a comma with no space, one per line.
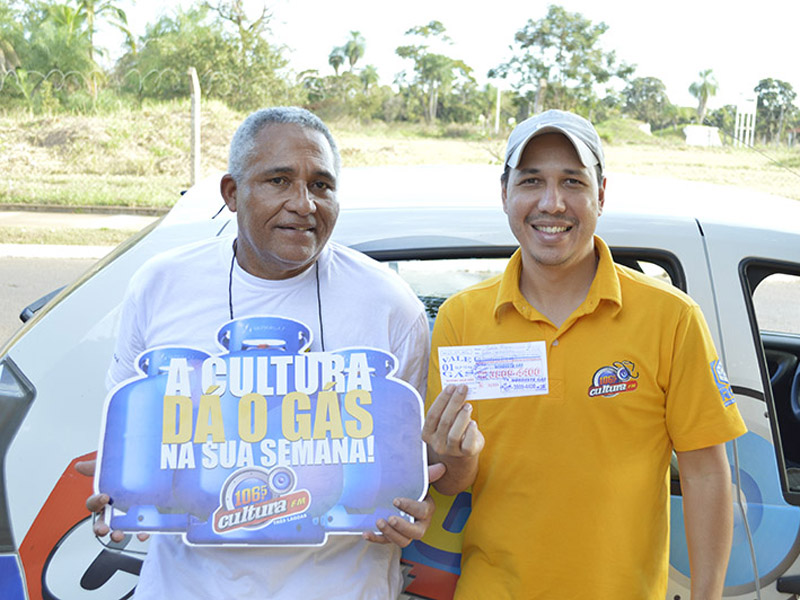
[570,486]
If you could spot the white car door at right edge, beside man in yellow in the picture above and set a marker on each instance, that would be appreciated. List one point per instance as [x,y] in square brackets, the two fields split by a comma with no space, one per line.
[757,278]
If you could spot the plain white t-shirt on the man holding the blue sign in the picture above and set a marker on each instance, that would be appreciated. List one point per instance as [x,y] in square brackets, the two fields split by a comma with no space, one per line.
[182,298]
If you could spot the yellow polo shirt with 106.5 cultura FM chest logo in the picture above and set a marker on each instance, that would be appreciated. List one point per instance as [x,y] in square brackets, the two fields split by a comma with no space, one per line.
[571,497]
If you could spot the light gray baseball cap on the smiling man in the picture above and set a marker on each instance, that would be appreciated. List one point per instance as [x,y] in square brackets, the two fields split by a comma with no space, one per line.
[577,130]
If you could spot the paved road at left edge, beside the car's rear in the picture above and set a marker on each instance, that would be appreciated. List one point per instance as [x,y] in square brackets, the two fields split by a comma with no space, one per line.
[23,280]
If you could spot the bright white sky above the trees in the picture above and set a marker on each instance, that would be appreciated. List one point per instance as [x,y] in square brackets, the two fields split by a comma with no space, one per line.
[742,42]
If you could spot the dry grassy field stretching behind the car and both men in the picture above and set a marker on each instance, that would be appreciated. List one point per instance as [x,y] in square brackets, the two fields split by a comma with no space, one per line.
[141,158]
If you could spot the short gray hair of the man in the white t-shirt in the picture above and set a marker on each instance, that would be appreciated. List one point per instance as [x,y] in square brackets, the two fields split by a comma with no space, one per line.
[243,144]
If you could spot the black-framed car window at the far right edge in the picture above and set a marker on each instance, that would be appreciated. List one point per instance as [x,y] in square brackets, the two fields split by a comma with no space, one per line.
[775,309]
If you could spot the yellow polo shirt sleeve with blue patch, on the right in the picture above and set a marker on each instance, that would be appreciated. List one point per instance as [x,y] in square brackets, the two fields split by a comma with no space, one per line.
[701,410]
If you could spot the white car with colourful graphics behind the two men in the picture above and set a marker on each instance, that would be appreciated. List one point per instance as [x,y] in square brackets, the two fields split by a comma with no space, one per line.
[736,252]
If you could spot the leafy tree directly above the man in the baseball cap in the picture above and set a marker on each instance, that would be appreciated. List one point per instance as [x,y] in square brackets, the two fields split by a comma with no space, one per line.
[559,57]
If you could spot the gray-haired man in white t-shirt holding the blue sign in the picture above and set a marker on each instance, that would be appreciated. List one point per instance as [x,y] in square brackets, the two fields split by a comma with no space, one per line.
[282,179]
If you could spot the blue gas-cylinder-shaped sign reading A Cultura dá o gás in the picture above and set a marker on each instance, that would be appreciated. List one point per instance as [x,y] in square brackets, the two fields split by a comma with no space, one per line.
[264,443]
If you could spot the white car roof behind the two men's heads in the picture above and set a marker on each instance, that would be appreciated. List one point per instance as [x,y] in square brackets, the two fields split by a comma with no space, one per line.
[443,205]
